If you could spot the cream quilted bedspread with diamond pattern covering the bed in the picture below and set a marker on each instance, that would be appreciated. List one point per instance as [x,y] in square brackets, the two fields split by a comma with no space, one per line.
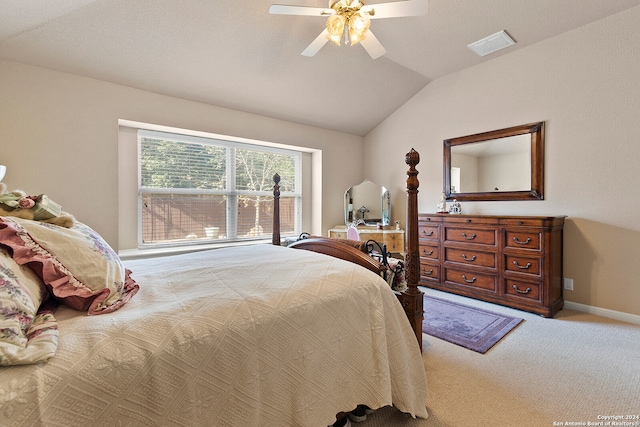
[251,336]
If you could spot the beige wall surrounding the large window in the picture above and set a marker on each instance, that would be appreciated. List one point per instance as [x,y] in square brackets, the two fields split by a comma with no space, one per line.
[59,136]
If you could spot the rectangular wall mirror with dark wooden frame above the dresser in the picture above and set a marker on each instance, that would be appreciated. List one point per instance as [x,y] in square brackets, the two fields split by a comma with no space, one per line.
[504,164]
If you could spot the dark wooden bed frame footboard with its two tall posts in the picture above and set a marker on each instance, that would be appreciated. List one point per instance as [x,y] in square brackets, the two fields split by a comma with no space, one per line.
[412,298]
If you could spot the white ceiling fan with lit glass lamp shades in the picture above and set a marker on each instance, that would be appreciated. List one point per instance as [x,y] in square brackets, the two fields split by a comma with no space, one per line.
[354,17]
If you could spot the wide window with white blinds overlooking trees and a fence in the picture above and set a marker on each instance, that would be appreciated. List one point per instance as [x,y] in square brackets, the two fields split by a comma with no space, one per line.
[195,190]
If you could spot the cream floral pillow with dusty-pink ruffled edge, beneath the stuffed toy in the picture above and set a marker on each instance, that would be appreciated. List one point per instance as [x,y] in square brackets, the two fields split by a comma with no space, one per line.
[78,267]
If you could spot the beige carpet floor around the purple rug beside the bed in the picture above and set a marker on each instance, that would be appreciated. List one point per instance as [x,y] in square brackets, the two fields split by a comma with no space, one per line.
[573,369]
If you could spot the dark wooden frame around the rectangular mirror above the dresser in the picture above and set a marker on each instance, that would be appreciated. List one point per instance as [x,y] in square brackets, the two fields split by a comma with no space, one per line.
[537,164]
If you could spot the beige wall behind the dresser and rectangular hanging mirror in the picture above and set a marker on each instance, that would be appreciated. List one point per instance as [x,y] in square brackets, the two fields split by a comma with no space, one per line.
[585,85]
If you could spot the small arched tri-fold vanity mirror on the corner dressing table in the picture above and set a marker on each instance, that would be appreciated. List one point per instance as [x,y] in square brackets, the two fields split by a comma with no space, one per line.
[367,201]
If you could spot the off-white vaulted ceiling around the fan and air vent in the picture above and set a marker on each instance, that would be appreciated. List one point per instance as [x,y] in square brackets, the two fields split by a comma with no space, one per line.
[233,53]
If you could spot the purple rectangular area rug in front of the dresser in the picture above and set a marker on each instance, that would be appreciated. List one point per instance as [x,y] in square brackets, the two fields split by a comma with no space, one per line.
[469,327]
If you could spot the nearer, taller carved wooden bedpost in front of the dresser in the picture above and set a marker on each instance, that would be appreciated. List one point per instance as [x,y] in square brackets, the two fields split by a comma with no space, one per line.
[412,298]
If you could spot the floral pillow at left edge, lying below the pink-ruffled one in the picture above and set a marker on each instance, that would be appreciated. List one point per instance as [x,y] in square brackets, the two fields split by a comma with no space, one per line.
[28,330]
